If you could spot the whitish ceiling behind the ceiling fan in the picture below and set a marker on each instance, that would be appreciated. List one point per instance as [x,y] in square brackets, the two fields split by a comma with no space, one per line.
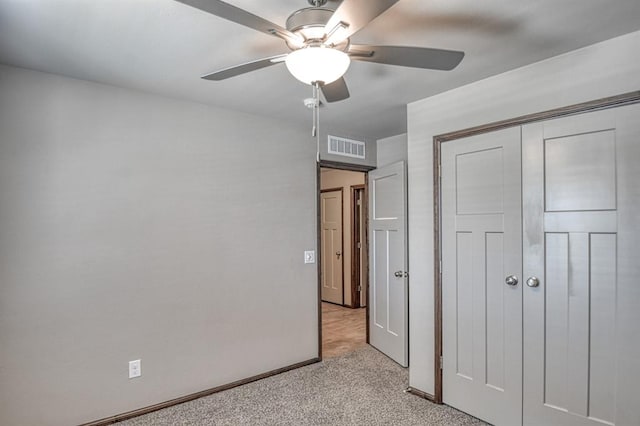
[162,46]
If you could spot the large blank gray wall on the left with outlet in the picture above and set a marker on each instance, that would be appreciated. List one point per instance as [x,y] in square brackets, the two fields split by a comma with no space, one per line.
[134,226]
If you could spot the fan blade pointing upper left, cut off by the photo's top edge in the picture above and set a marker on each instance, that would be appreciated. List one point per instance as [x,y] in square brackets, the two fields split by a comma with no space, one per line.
[242,17]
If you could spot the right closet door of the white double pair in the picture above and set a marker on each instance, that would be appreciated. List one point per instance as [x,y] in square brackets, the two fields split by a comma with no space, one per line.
[581,184]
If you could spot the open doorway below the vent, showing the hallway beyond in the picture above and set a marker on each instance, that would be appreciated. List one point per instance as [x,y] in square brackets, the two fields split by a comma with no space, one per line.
[342,259]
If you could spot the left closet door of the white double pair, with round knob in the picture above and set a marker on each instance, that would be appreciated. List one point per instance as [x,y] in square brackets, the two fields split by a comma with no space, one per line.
[481,249]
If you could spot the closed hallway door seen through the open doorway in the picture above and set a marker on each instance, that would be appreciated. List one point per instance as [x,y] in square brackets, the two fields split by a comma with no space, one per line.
[331,246]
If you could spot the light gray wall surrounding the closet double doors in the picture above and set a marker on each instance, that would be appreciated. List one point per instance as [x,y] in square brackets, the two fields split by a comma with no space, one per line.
[605,69]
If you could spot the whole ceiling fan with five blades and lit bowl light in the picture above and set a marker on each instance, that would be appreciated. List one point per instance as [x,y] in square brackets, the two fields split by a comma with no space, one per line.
[319,42]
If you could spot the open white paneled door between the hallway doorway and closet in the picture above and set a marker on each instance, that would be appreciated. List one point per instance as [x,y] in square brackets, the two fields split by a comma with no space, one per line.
[388,294]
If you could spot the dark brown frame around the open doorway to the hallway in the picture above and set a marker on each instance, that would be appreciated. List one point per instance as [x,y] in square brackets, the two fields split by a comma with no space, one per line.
[324,164]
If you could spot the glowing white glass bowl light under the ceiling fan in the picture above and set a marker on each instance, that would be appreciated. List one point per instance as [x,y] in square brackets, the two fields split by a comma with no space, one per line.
[317,64]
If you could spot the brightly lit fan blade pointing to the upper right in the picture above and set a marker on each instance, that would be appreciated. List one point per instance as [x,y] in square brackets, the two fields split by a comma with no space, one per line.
[351,16]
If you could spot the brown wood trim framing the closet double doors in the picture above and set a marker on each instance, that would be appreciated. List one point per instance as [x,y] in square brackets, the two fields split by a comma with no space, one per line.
[438,140]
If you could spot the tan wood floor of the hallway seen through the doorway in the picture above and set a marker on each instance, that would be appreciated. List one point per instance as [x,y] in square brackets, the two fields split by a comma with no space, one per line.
[343,329]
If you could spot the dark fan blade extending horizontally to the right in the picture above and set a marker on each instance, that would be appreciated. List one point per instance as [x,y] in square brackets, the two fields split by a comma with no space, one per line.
[406,56]
